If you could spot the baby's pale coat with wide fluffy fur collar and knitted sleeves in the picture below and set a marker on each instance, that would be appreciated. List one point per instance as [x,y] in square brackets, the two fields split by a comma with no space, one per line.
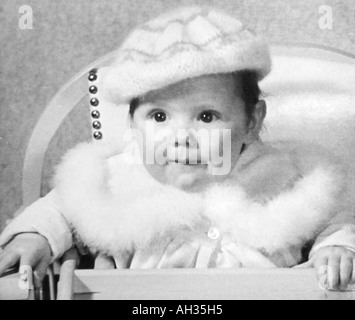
[275,203]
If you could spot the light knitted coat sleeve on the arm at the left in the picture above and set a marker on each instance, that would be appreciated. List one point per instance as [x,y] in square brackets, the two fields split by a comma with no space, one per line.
[44,217]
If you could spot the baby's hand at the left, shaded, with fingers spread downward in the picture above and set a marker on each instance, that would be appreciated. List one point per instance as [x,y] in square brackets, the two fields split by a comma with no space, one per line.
[29,249]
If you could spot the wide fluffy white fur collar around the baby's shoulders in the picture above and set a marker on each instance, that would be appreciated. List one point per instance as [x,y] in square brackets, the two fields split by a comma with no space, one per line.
[277,196]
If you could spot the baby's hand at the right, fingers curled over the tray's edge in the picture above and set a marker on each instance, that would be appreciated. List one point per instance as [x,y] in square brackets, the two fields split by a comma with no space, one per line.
[335,267]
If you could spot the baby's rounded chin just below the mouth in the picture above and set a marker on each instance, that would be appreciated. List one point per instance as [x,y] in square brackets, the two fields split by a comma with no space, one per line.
[190,178]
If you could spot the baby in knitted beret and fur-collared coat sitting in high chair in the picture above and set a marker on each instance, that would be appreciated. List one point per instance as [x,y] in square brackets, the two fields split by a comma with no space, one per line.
[196,187]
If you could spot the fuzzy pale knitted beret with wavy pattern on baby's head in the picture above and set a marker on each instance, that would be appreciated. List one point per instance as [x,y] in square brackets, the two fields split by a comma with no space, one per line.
[185,43]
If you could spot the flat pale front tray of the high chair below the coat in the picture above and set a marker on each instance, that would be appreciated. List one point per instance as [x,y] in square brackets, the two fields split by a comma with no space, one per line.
[199,284]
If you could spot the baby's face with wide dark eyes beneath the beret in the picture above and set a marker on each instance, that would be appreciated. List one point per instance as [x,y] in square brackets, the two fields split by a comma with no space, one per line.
[192,133]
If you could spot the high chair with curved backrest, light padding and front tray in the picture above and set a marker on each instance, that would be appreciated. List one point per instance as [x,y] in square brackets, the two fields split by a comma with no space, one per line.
[310,96]
